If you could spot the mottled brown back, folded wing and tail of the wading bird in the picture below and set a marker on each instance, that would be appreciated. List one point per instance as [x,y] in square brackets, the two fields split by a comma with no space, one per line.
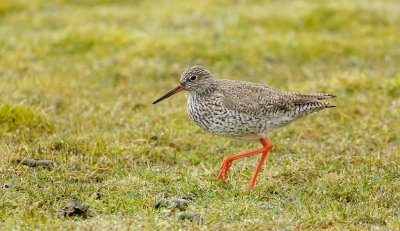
[260,100]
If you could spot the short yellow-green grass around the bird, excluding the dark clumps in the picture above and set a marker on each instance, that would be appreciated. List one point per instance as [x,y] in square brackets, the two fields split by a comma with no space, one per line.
[77,82]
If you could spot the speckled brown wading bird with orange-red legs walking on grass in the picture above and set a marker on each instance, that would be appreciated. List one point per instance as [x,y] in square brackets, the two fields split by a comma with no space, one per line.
[242,110]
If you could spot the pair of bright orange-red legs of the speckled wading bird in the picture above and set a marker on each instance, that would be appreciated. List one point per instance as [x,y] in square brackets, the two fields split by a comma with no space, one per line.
[267,146]
